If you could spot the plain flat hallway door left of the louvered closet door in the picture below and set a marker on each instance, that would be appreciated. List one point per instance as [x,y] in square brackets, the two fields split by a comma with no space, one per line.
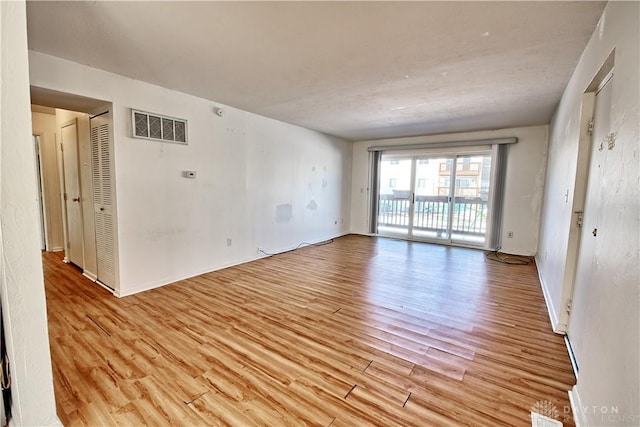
[73,208]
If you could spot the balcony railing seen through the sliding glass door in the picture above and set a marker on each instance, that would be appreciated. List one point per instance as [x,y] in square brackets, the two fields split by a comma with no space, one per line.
[431,213]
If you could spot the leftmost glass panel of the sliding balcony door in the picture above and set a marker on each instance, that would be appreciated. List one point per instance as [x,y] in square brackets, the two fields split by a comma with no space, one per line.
[394,203]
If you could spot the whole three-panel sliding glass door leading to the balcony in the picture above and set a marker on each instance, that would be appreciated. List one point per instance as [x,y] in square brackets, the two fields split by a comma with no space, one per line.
[442,198]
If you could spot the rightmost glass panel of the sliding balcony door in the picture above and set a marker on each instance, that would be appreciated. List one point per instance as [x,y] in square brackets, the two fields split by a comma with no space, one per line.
[470,207]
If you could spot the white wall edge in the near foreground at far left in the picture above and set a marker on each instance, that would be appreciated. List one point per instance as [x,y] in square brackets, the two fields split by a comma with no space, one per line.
[21,284]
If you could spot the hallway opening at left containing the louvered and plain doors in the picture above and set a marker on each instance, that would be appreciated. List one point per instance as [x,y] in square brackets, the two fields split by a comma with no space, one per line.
[77,149]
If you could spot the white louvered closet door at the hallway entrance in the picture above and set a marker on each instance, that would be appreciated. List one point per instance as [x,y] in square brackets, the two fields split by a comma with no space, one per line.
[102,169]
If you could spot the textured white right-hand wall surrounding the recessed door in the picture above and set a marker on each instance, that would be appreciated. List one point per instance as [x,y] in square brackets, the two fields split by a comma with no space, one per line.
[609,371]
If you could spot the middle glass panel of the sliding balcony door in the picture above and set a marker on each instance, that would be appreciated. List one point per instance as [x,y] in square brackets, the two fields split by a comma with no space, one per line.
[432,198]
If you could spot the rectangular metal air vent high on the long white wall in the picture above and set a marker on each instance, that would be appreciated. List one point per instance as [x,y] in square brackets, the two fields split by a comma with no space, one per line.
[158,128]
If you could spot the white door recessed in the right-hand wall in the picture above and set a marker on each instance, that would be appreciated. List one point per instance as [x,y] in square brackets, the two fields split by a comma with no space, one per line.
[588,238]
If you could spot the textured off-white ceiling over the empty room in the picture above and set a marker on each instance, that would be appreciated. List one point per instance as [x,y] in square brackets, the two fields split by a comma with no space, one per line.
[359,70]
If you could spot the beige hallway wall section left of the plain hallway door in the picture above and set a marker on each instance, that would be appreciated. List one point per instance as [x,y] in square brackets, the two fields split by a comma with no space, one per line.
[44,125]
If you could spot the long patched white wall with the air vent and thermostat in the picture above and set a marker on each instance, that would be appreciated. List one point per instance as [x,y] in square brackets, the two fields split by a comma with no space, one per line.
[250,171]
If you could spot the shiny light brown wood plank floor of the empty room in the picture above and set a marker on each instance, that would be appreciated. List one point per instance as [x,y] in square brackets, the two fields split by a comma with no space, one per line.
[362,331]
